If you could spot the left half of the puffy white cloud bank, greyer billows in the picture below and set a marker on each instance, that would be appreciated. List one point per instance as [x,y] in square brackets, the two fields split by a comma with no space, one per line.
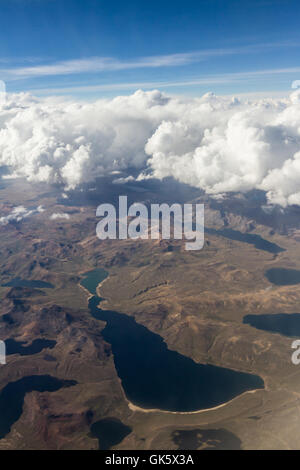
[72,143]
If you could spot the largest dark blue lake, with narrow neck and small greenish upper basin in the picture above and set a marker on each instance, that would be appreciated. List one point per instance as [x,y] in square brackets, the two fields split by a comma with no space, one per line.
[155,377]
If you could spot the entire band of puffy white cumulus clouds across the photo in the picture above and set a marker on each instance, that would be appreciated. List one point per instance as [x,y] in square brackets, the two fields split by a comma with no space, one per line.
[217,144]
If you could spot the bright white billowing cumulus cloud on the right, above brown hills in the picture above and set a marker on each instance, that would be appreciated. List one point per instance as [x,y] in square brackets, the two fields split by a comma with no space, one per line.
[223,145]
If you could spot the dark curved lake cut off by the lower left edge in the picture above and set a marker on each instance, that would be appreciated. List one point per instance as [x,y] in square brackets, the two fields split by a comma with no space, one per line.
[12,397]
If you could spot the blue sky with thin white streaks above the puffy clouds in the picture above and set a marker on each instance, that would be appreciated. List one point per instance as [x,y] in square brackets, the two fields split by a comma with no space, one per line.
[95,48]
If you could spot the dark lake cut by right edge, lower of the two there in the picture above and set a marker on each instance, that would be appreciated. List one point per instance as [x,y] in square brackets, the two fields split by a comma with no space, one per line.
[287,324]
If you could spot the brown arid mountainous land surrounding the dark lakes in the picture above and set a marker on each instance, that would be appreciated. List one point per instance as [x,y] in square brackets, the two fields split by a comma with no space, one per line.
[195,301]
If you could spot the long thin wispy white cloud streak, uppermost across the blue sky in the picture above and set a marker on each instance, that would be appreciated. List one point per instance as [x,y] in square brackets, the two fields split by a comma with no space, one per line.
[102,64]
